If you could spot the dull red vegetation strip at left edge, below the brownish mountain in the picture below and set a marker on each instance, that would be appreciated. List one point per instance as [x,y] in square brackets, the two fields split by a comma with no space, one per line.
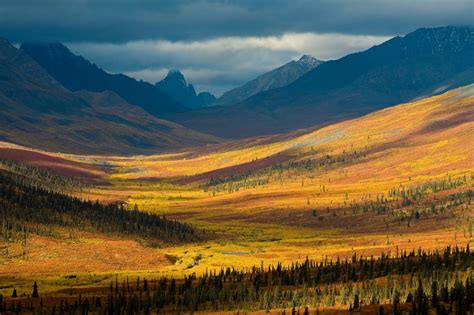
[57,165]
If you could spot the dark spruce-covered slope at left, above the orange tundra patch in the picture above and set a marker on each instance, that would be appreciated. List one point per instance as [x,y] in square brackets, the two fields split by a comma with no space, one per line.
[28,208]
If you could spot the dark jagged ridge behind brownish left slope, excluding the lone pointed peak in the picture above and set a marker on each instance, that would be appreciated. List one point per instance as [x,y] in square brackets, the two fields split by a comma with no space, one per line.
[76,73]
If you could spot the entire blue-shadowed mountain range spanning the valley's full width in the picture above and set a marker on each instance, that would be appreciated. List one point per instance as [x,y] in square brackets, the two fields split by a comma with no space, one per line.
[59,101]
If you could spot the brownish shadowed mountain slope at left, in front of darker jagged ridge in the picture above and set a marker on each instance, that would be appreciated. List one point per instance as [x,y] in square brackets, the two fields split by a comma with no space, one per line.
[35,110]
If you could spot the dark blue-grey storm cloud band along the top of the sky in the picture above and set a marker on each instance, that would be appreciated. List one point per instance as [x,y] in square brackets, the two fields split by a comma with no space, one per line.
[123,21]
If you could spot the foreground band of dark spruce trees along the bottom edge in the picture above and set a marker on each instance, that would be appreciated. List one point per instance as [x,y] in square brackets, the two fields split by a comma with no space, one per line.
[416,282]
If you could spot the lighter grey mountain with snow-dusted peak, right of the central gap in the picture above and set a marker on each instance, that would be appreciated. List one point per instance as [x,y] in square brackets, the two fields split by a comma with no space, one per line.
[276,78]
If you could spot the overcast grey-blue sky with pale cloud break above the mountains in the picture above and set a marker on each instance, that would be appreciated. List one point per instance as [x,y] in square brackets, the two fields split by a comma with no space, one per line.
[219,44]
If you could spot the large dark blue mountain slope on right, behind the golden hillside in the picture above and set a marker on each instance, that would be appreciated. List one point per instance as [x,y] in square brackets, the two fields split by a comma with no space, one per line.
[425,62]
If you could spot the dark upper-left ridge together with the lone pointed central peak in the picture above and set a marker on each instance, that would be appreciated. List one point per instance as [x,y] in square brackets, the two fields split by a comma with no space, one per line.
[76,73]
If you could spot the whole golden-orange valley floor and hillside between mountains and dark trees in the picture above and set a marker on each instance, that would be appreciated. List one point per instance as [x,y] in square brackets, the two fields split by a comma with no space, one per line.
[395,180]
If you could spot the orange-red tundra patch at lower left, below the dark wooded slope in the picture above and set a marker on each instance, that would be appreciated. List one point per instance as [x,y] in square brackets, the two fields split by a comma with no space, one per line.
[85,252]
